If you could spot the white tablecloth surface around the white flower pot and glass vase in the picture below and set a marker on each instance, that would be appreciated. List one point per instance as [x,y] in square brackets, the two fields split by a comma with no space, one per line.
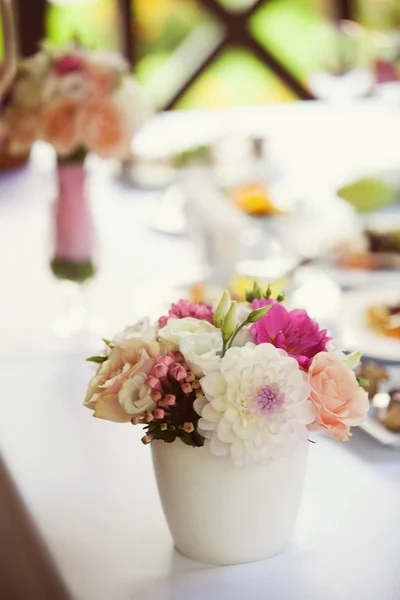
[89,484]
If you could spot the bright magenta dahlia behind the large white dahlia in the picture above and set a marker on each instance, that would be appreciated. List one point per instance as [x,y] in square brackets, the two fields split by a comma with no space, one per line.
[292,331]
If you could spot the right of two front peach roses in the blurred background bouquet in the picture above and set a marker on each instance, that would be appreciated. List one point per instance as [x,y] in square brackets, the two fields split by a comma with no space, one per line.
[105,129]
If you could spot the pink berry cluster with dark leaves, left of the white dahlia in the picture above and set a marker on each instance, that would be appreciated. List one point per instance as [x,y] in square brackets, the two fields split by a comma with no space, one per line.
[174,388]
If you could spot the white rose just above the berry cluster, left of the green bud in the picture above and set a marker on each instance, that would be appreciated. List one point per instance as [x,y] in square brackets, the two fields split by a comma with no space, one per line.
[202,352]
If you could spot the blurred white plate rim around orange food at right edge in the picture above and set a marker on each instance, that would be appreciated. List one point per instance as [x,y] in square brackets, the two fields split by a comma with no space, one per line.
[357,334]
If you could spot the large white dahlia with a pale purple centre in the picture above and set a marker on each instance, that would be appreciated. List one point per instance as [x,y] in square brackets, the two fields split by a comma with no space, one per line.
[256,406]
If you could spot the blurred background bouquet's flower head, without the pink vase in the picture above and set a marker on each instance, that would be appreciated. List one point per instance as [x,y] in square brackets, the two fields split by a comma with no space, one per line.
[75,99]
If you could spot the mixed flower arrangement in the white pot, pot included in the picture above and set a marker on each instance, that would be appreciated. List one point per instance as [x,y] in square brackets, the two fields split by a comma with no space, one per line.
[235,391]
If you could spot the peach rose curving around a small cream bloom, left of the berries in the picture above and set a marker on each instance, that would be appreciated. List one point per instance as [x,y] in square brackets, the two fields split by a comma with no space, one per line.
[127,360]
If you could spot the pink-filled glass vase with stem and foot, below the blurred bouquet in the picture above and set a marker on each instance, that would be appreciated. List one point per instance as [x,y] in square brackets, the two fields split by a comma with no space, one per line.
[73,243]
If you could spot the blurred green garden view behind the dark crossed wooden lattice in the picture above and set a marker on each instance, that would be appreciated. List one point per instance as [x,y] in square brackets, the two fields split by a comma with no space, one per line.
[202,53]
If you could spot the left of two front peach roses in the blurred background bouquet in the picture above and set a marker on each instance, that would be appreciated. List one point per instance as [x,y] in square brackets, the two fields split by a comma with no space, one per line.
[60,125]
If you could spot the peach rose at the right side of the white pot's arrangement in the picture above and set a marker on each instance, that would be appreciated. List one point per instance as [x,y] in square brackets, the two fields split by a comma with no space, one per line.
[339,401]
